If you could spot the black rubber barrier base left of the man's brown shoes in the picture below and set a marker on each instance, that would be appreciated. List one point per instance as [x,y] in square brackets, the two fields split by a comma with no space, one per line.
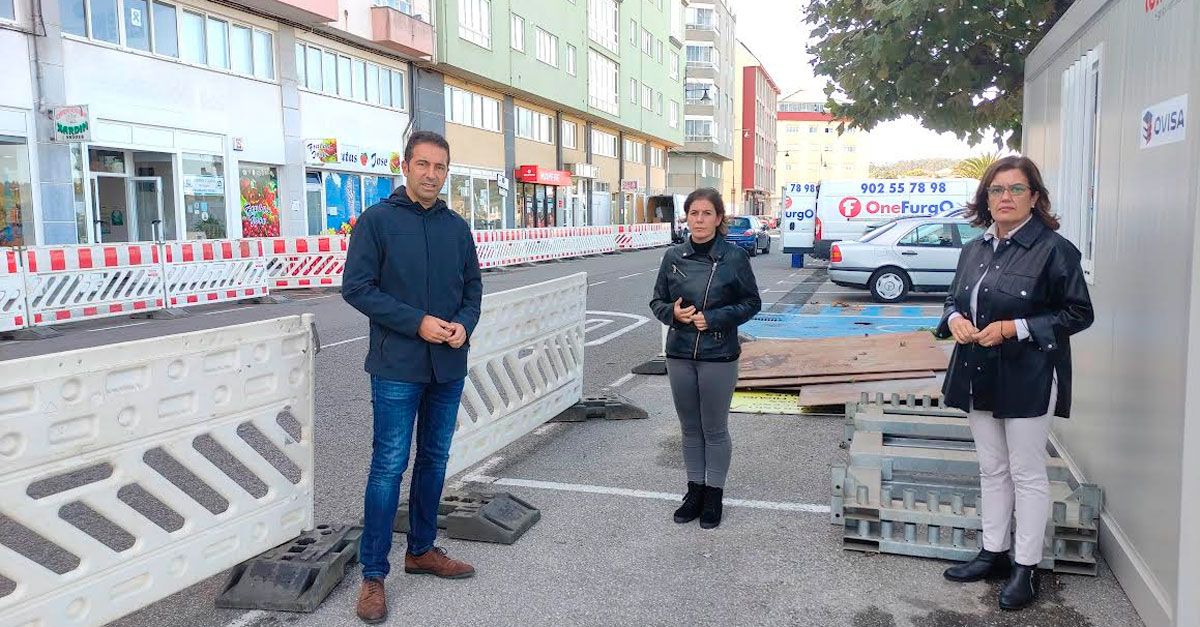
[295,577]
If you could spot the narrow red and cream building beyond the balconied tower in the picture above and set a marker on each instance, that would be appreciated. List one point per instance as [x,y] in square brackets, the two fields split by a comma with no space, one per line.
[754,190]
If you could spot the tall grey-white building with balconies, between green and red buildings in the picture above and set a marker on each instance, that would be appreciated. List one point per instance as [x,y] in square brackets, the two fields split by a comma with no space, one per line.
[709,98]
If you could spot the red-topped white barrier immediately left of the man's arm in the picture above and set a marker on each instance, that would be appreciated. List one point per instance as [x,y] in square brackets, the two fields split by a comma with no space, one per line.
[298,264]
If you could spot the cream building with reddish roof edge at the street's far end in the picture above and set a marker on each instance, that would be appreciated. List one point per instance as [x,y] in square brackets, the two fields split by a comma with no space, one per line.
[811,148]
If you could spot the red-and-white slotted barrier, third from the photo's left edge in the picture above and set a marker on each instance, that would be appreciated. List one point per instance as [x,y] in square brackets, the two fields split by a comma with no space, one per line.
[214,272]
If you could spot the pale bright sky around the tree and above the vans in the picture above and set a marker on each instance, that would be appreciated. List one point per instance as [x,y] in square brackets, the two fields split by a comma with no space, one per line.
[775,31]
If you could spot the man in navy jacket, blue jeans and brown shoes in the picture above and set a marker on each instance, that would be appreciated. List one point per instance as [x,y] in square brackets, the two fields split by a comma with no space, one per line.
[412,270]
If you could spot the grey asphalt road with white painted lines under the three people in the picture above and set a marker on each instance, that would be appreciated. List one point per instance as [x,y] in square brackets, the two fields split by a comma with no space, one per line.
[605,552]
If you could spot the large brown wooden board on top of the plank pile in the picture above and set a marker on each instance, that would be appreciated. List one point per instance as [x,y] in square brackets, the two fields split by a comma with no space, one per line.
[901,353]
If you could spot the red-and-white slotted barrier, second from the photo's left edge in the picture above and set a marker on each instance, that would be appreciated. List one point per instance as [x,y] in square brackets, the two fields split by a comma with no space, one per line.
[71,284]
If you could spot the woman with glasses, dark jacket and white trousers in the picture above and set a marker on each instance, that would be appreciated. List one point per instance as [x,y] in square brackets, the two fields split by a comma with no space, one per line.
[1018,297]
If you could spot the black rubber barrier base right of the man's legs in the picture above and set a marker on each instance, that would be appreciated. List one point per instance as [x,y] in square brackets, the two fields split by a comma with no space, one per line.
[481,517]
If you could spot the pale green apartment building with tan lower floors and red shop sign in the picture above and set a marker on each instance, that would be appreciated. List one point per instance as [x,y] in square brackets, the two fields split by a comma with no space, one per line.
[572,100]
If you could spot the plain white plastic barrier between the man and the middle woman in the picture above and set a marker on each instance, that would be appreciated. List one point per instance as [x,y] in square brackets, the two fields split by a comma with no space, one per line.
[526,367]
